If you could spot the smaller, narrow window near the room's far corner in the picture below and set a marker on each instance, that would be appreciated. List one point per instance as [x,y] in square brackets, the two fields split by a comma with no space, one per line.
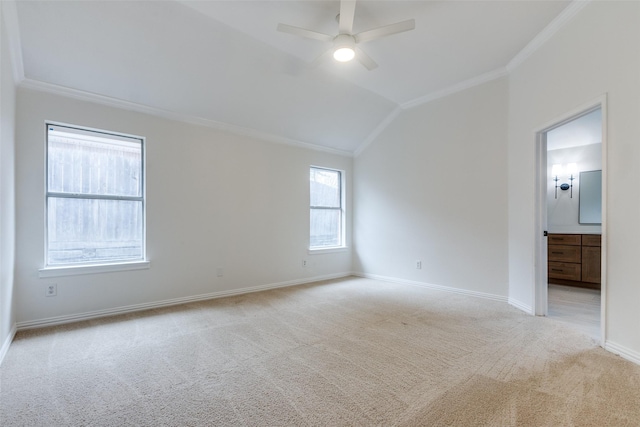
[327,214]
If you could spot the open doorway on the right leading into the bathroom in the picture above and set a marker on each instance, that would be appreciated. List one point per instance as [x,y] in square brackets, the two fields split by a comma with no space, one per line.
[571,226]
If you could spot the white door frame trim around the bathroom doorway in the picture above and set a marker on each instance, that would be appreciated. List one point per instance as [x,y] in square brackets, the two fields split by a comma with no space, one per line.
[541,182]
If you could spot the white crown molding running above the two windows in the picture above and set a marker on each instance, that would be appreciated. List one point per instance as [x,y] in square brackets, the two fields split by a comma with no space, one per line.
[40,86]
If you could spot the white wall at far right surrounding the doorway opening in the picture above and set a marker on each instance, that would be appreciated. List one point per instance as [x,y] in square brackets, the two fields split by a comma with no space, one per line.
[597,53]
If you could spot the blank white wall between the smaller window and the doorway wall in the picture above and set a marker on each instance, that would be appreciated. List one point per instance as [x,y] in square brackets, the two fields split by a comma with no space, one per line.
[432,187]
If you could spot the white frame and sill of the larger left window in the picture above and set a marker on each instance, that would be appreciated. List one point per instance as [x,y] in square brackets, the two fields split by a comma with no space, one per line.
[52,270]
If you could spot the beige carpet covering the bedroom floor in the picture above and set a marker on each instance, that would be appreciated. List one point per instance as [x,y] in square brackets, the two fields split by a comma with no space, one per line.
[347,352]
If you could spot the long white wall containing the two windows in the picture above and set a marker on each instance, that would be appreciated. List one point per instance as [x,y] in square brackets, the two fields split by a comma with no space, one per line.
[213,200]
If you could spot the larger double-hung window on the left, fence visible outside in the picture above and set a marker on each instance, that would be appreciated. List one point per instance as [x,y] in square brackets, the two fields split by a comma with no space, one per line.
[95,197]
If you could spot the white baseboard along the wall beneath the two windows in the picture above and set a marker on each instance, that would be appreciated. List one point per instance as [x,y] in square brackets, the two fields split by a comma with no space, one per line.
[59,320]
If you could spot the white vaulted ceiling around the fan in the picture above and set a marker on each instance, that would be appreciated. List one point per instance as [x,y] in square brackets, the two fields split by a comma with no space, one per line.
[224,61]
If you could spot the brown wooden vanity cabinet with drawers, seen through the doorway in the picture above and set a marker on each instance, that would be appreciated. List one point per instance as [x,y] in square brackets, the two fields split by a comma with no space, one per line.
[574,259]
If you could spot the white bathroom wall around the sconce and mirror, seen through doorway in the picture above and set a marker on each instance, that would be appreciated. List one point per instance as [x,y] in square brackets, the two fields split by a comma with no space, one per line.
[563,212]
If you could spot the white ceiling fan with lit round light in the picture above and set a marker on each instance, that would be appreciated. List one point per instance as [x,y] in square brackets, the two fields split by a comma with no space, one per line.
[344,44]
